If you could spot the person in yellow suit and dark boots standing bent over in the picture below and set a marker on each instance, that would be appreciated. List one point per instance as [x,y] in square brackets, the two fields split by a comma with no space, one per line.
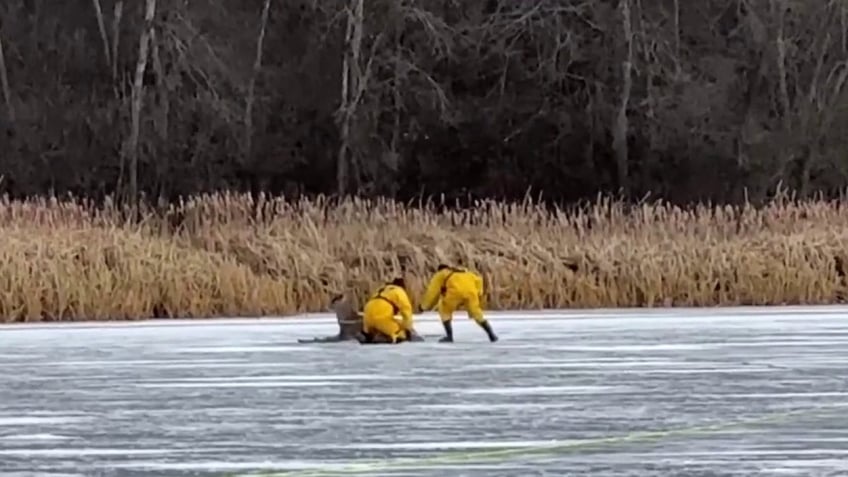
[457,287]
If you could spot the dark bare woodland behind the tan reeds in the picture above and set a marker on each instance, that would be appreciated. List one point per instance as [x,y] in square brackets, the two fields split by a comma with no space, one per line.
[710,100]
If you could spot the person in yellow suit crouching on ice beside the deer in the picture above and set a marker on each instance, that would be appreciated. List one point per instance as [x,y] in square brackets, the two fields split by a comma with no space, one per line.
[378,316]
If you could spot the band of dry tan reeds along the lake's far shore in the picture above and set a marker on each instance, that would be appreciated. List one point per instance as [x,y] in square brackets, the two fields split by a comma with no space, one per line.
[230,255]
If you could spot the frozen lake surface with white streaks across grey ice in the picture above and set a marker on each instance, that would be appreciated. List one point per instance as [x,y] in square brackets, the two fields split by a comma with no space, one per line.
[603,393]
